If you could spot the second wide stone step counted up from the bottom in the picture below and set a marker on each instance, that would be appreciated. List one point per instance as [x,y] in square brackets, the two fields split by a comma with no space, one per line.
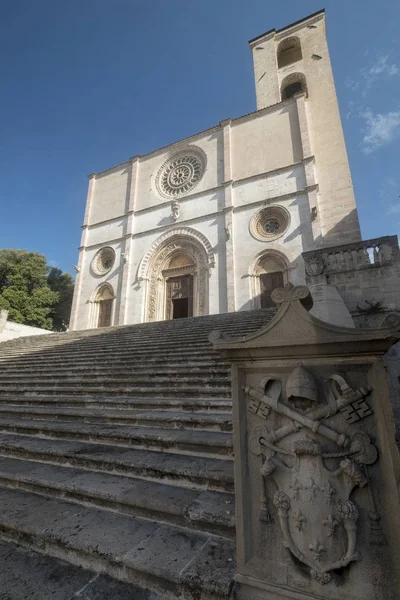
[187,564]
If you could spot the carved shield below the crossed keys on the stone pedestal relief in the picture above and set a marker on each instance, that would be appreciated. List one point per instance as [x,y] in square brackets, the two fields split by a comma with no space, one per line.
[317,519]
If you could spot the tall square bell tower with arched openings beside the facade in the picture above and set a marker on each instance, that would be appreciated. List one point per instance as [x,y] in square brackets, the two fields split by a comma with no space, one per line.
[292,62]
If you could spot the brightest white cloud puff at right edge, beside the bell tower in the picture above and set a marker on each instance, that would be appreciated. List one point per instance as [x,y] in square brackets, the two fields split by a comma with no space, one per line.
[380,129]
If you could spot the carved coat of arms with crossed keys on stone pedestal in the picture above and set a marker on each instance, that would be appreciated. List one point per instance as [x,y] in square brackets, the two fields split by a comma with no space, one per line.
[318,520]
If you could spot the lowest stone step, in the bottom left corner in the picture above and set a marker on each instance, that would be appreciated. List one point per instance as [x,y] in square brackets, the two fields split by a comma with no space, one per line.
[28,574]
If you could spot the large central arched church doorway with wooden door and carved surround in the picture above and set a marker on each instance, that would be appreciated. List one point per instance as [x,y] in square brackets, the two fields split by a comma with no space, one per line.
[175,271]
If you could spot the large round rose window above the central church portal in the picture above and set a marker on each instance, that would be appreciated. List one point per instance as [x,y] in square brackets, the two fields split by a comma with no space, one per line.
[181,172]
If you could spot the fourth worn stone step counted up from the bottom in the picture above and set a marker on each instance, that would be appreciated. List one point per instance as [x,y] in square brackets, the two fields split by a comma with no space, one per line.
[178,469]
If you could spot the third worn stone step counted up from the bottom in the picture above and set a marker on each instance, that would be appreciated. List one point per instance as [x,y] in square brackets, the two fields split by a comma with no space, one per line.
[197,509]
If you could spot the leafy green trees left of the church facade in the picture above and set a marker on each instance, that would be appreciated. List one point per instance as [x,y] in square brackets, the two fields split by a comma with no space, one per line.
[26,292]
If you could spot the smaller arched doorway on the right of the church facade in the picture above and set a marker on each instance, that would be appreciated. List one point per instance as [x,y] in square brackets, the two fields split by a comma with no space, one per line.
[268,272]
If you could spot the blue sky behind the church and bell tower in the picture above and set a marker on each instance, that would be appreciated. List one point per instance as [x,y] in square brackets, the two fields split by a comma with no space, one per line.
[86,84]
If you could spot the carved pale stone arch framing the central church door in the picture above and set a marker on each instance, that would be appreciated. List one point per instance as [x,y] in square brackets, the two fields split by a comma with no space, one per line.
[155,268]
